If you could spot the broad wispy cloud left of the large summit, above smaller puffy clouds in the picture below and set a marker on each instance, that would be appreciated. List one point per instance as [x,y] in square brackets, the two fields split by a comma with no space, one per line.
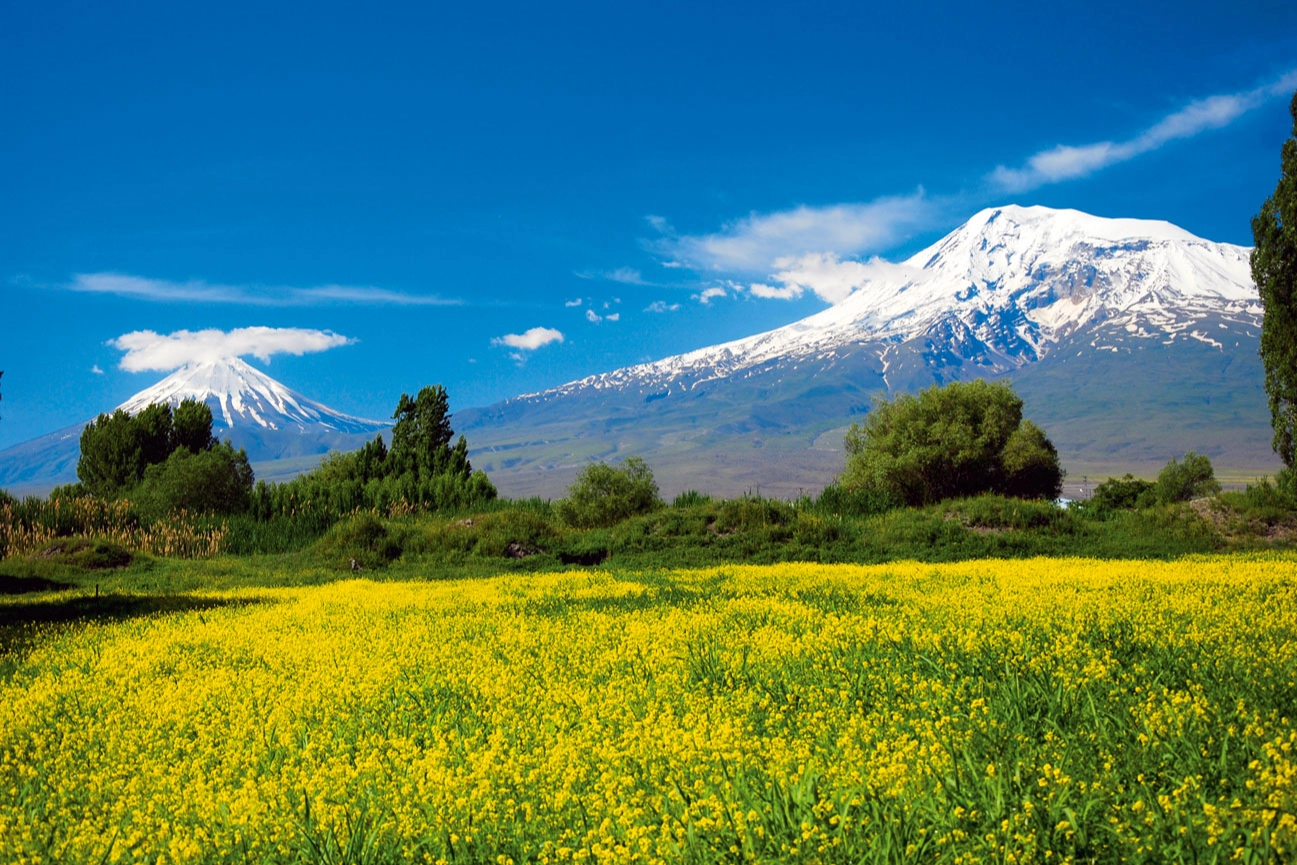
[754,244]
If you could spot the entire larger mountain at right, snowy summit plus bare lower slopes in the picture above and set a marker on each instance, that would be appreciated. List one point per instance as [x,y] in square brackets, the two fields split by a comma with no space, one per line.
[1132,342]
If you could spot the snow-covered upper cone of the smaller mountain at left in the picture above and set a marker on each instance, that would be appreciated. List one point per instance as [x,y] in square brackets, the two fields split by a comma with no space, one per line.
[242,396]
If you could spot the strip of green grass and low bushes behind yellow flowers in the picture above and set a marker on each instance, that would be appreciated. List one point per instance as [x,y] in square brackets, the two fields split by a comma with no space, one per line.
[529,538]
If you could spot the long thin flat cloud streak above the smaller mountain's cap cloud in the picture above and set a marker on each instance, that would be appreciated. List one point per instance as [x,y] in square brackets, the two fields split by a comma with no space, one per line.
[203,292]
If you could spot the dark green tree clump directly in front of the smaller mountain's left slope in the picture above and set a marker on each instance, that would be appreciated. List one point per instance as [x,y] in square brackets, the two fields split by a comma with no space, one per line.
[117,449]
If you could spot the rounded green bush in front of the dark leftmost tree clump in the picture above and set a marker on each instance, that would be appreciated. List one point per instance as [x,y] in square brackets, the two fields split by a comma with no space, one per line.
[217,480]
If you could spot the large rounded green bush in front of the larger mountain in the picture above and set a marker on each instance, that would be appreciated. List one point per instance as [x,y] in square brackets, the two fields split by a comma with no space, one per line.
[962,439]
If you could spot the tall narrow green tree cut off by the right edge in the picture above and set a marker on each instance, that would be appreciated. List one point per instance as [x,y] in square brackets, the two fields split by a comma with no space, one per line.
[1274,269]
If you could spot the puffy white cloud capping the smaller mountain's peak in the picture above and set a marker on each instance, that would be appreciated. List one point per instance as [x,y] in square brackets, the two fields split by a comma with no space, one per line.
[150,351]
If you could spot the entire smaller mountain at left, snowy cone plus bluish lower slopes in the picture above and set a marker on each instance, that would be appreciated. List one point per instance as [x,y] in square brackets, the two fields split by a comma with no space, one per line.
[282,431]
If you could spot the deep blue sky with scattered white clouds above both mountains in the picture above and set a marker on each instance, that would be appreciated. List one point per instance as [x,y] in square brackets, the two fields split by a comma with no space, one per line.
[436,186]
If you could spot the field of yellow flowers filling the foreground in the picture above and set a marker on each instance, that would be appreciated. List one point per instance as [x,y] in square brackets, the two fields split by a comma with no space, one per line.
[1040,711]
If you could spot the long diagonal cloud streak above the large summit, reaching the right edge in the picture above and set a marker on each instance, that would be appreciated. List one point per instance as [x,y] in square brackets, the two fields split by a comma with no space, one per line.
[1068,163]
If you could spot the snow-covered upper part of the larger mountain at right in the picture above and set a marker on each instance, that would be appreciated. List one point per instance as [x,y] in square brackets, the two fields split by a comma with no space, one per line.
[1001,292]
